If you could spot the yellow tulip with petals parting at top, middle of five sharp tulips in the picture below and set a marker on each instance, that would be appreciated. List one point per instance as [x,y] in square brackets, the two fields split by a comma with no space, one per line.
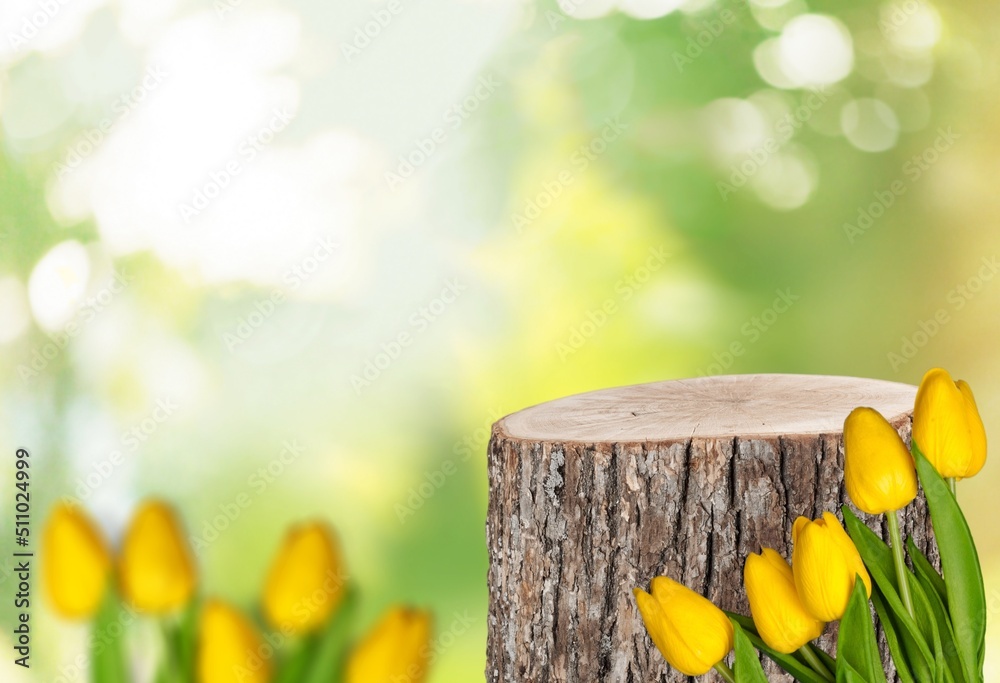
[825,563]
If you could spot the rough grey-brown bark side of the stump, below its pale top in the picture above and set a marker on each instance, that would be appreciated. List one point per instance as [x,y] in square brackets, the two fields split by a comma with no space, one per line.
[573,526]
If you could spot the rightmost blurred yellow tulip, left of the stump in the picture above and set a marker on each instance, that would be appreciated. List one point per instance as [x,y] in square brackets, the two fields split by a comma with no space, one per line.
[397,649]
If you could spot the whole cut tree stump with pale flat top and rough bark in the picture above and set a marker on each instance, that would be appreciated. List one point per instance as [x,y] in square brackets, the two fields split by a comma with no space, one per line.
[594,494]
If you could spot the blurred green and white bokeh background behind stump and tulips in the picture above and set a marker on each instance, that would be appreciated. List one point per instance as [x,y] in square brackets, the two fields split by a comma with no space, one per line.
[368,230]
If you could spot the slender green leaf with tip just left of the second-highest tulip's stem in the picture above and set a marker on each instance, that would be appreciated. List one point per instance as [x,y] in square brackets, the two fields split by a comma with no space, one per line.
[878,558]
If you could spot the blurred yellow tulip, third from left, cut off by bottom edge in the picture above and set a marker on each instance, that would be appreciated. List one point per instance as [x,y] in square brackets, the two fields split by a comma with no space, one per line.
[229,647]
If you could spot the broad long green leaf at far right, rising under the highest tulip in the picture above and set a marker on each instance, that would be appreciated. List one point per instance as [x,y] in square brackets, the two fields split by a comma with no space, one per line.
[963,576]
